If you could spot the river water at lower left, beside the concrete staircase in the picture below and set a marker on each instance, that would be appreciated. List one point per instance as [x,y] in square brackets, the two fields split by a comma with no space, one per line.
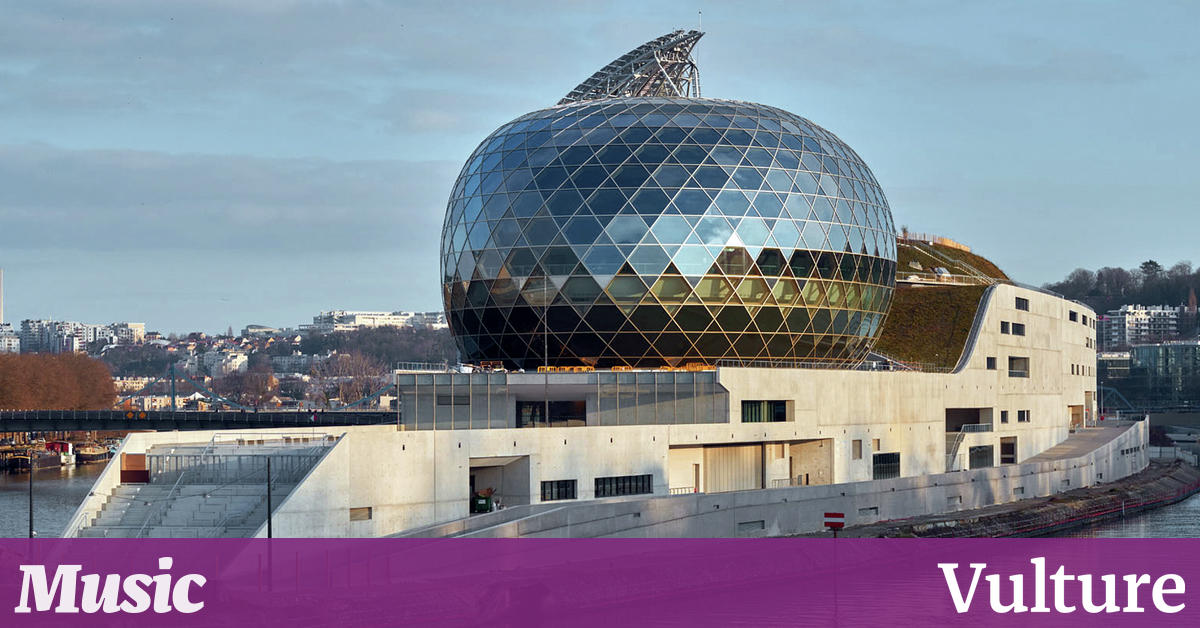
[57,494]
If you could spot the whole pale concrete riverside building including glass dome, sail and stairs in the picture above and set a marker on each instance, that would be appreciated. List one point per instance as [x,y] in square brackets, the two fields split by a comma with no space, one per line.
[686,339]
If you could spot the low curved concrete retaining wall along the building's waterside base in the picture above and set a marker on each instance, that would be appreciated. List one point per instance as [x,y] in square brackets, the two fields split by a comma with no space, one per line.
[801,510]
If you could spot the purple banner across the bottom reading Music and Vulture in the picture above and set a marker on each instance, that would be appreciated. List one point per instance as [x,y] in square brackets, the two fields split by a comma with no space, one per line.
[298,583]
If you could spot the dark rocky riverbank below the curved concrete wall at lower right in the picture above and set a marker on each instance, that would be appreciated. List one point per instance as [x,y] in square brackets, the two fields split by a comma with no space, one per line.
[1161,485]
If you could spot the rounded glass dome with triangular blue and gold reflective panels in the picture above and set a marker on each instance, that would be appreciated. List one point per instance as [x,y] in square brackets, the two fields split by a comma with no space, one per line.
[650,232]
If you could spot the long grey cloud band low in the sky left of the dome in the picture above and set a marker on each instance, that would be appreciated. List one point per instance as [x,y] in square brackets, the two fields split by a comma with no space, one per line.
[124,200]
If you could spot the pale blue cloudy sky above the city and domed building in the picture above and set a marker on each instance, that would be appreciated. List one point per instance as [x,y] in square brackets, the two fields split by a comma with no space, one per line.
[212,164]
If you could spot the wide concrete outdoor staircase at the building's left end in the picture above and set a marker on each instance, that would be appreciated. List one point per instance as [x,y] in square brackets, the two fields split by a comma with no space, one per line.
[220,493]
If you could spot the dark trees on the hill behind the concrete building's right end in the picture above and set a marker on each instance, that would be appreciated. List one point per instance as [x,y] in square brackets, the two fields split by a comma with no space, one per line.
[1150,284]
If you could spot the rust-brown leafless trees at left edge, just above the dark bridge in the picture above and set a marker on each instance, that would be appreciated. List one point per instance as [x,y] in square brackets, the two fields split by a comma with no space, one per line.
[68,381]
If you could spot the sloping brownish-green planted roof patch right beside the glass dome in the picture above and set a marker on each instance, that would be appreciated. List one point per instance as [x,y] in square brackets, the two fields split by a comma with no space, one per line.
[929,325]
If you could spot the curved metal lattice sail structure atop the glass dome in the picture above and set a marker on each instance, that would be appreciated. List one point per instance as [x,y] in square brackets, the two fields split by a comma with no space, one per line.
[658,68]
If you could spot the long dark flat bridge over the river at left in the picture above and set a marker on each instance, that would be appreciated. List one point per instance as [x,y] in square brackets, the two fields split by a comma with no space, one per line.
[39,421]
